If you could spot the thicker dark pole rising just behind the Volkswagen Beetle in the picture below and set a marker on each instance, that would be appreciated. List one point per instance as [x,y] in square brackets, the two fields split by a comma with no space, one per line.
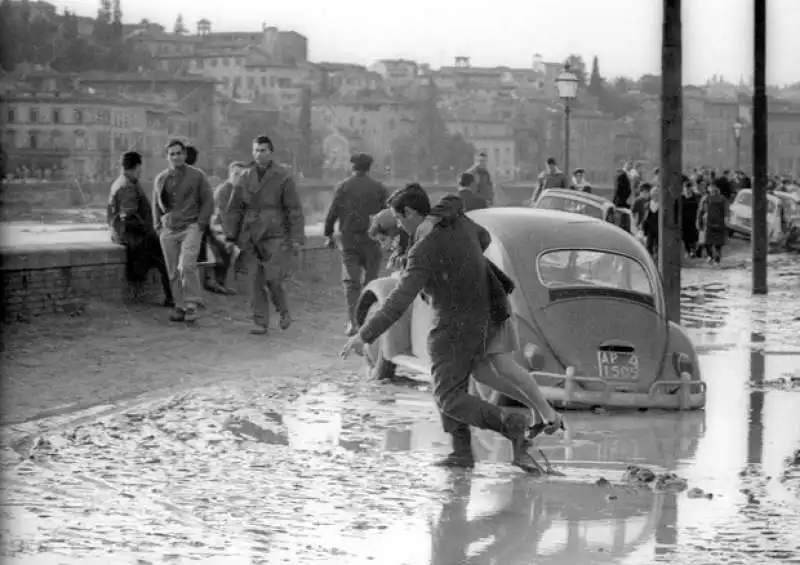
[670,246]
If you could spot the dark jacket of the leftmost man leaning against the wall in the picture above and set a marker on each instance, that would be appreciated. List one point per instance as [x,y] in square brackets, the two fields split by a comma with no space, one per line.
[128,215]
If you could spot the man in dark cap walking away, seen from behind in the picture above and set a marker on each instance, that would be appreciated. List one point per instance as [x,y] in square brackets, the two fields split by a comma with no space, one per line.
[355,201]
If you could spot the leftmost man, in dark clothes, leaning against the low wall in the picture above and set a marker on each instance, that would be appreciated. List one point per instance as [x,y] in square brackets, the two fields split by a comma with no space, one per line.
[131,221]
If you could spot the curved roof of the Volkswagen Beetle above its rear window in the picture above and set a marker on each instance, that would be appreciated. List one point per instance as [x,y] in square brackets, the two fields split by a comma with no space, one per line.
[552,229]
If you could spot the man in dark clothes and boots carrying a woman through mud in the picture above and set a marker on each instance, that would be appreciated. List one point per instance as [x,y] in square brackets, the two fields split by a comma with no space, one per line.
[448,265]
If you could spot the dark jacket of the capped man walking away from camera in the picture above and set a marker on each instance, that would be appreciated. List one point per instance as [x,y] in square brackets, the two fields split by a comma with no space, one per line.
[355,201]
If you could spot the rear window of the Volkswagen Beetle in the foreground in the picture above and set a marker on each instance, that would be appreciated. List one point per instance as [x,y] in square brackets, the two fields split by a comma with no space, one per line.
[589,268]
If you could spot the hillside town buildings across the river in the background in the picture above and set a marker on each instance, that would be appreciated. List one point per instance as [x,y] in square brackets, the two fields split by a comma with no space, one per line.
[209,86]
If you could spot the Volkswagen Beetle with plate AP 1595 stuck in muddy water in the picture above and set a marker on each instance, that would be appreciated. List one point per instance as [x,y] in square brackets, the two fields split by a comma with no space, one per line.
[589,309]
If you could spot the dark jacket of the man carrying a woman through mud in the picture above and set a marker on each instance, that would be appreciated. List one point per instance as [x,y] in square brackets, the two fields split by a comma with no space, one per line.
[448,265]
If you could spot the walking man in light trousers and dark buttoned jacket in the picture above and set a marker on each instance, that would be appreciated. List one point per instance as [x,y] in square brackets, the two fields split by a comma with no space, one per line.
[182,207]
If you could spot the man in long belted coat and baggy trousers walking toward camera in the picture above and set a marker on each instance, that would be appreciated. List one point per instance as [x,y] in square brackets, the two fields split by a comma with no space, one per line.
[265,219]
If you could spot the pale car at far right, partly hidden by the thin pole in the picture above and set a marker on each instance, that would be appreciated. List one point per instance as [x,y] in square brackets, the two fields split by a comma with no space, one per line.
[783,214]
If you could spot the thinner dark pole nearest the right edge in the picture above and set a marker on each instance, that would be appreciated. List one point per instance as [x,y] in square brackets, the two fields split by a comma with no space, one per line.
[759,229]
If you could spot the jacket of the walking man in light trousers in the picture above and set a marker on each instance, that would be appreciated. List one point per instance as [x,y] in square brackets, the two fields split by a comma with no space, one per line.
[182,197]
